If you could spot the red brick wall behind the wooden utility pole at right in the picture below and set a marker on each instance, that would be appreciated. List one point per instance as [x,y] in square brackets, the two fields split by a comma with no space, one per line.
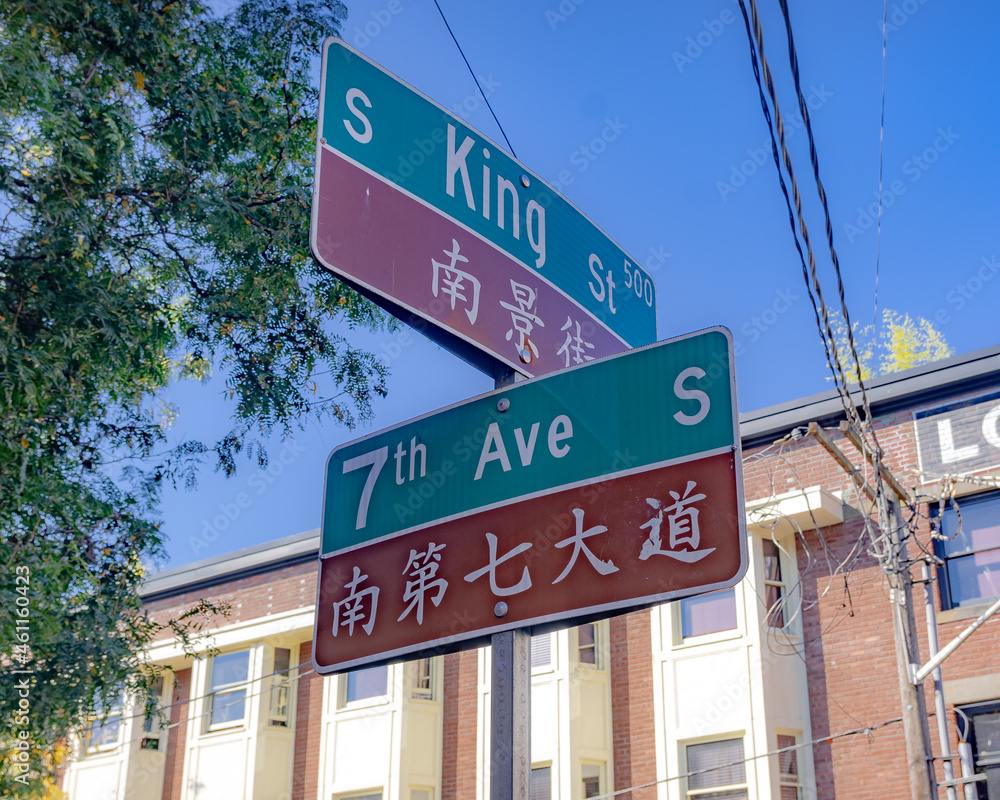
[846,620]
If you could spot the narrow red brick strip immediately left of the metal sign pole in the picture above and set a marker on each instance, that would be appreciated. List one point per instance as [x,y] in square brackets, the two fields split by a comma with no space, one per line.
[460,725]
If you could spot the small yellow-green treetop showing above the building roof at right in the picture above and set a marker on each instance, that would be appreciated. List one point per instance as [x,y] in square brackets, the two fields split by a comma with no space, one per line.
[899,343]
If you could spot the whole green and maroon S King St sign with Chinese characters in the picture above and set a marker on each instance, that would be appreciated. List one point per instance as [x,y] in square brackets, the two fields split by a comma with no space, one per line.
[436,223]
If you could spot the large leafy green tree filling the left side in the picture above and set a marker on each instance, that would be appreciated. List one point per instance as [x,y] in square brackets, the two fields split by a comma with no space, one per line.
[155,170]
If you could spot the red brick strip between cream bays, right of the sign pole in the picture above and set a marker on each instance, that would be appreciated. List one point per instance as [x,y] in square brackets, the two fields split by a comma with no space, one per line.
[632,728]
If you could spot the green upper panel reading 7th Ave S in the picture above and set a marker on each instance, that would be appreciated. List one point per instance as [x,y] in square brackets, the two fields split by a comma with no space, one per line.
[663,404]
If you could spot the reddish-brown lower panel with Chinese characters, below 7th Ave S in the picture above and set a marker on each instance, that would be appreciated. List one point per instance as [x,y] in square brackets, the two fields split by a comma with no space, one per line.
[593,550]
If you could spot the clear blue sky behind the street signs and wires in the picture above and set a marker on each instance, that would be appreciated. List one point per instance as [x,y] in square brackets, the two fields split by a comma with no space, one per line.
[646,116]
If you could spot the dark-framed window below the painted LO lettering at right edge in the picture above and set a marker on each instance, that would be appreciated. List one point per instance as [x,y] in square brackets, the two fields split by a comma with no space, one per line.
[970,548]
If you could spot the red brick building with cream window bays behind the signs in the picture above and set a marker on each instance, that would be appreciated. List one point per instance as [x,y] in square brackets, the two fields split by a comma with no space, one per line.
[690,699]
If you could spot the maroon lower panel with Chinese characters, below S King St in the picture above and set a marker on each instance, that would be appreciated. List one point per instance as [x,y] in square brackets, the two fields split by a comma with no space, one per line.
[448,276]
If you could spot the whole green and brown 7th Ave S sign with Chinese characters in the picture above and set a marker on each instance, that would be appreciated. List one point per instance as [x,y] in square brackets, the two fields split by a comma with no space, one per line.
[585,493]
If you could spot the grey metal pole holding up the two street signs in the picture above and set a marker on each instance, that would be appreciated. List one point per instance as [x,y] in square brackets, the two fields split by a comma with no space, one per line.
[510,697]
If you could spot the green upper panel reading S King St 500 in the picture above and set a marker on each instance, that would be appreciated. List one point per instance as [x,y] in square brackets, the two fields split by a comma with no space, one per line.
[392,131]
